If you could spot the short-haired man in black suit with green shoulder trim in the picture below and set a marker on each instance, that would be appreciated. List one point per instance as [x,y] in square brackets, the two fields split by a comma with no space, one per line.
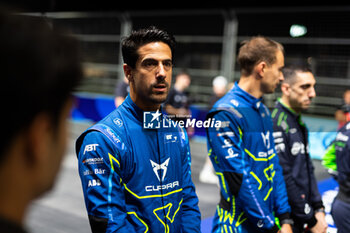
[291,140]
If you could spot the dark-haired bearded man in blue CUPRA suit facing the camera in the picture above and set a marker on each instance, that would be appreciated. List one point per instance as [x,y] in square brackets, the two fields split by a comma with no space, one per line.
[136,179]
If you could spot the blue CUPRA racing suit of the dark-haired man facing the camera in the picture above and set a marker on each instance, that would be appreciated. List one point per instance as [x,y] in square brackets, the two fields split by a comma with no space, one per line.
[135,179]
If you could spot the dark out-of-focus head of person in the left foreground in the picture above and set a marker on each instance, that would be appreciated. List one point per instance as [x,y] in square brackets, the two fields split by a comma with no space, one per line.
[40,67]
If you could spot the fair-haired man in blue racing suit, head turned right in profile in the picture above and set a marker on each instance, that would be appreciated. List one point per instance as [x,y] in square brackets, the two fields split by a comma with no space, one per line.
[242,150]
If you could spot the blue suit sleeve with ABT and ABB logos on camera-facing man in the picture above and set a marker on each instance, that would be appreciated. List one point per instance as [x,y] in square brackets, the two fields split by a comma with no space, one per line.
[105,162]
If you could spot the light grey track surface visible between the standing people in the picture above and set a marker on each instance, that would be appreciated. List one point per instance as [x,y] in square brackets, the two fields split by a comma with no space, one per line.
[62,210]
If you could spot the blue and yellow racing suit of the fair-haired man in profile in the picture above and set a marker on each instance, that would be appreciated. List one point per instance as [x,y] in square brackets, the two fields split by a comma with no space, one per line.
[242,151]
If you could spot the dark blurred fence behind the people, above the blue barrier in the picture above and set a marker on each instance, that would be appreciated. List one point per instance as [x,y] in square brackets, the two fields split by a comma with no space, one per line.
[208,40]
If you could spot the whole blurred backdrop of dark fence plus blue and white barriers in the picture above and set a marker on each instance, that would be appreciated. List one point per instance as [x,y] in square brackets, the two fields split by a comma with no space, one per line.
[208,38]
